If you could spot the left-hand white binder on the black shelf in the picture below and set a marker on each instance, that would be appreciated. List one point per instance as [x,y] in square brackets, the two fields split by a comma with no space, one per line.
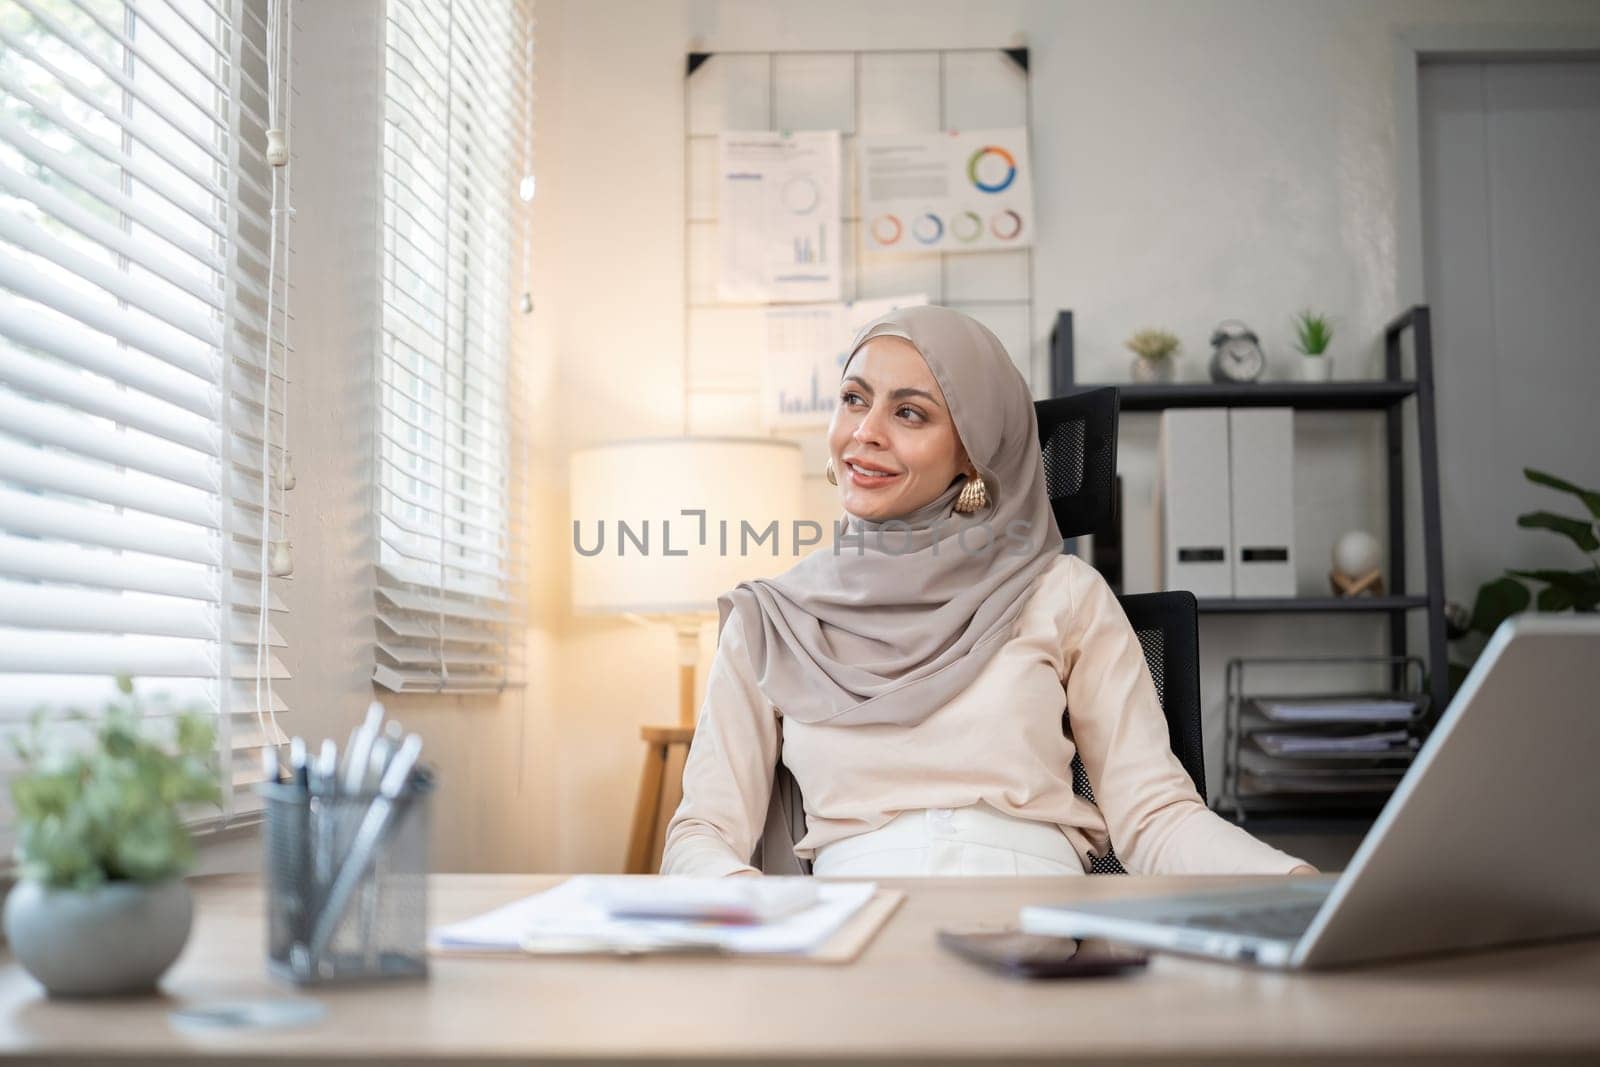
[1194,502]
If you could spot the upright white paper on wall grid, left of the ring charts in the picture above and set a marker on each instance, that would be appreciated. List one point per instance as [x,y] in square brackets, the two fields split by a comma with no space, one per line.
[778,217]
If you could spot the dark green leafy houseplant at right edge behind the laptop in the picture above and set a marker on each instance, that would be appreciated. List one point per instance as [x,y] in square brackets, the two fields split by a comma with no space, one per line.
[1553,589]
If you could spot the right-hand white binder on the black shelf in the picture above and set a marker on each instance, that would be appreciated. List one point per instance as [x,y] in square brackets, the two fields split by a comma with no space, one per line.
[1262,474]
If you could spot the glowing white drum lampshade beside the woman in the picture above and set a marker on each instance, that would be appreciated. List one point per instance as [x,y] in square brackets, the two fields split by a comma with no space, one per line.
[646,486]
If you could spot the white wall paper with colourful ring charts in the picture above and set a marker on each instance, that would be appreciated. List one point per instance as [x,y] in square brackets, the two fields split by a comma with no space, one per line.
[946,191]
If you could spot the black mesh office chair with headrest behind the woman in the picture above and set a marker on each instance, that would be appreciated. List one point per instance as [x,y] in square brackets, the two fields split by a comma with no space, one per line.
[1079,439]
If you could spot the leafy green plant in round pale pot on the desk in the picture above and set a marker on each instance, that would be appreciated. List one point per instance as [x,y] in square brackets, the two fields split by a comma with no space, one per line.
[100,906]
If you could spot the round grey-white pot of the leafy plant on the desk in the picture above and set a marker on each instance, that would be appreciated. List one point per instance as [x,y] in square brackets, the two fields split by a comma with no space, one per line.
[114,940]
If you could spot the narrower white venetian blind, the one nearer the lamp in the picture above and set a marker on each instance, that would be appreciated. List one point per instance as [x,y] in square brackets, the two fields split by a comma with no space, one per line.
[447,458]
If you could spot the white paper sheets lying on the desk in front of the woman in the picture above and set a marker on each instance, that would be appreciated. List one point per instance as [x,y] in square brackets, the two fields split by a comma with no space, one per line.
[574,917]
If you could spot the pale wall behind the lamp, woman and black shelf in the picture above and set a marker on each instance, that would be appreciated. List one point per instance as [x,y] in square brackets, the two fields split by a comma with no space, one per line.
[1193,162]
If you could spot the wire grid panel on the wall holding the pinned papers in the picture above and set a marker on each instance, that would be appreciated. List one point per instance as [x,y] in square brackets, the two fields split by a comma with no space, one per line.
[852,92]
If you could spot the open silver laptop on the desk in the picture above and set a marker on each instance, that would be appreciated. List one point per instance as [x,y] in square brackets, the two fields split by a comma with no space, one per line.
[1490,839]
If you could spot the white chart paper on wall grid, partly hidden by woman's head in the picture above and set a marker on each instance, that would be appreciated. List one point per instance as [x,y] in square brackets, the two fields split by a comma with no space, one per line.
[806,354]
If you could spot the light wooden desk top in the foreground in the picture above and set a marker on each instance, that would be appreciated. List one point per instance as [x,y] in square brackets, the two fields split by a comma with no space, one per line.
[905,1001]
